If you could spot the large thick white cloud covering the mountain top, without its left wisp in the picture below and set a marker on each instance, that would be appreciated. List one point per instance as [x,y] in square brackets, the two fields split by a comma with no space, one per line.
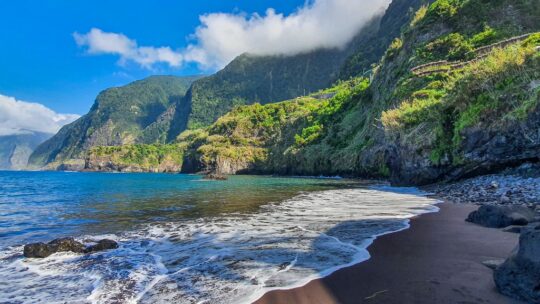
[319,24]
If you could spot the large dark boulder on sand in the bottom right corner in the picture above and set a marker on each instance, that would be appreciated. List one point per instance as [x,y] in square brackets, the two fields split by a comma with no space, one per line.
[519,275]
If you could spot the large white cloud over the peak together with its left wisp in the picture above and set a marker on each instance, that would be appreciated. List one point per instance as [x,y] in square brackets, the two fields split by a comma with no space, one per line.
[221,37]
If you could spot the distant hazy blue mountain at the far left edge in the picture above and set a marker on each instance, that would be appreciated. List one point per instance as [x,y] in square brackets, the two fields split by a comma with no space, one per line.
[16,149]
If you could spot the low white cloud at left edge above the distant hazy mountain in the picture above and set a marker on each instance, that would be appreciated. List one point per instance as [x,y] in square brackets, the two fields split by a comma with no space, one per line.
[19,117]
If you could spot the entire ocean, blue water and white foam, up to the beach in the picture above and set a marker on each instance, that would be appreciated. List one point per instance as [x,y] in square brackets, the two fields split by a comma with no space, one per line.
[188,240]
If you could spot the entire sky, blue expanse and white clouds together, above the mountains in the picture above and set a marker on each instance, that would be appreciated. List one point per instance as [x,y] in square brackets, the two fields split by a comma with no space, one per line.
[59,54]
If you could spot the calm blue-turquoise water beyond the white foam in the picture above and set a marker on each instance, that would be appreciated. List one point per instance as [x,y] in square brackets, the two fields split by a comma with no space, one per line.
[37,206]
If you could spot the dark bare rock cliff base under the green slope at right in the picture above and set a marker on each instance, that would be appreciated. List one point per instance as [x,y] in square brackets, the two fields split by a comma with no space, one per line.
[484,149]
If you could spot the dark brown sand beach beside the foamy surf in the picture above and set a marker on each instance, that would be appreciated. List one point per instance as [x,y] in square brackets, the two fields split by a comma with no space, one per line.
[437,260]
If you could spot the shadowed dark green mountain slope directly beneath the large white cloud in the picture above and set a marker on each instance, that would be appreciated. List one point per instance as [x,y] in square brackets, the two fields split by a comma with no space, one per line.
[264,79]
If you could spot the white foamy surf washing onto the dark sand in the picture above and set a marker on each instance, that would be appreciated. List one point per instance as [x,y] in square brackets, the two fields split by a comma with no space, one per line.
[230,259]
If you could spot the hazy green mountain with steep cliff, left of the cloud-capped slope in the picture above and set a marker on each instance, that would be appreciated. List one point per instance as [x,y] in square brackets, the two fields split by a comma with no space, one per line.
[140,112]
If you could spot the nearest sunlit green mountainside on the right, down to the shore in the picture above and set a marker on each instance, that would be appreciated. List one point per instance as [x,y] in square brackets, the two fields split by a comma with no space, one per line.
[457,94]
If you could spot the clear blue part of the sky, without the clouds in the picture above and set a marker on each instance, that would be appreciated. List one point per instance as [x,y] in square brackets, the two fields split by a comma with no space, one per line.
[40,61]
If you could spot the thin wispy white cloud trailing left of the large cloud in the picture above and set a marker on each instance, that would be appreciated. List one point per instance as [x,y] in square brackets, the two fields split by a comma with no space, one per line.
[99,42]
